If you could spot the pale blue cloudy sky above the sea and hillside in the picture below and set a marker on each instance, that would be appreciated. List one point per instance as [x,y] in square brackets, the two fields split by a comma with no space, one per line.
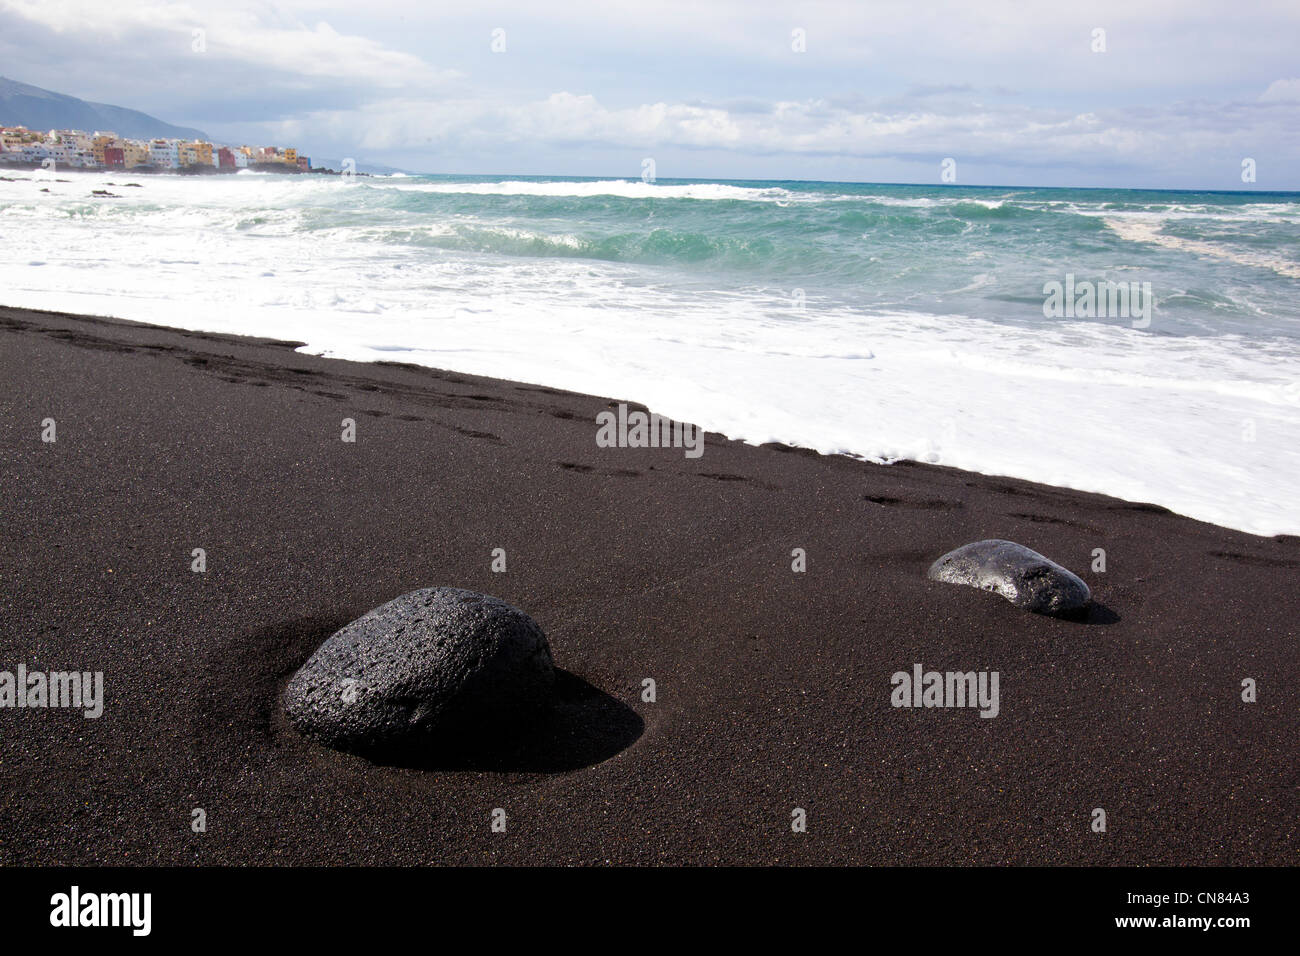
[1016,92]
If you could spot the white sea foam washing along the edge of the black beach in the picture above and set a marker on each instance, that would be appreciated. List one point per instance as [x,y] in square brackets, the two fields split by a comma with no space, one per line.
[1206,426]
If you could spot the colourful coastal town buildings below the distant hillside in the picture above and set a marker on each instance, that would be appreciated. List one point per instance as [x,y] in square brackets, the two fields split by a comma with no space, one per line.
[106,150]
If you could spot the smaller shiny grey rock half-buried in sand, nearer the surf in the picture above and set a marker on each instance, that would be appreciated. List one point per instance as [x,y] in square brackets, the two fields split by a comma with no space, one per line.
[1021,576]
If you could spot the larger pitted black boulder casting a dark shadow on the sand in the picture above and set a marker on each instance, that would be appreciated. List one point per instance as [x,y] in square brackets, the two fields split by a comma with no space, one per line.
[439,668]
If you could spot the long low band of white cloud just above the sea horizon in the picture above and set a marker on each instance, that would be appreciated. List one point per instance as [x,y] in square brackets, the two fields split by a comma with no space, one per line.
[1015,135]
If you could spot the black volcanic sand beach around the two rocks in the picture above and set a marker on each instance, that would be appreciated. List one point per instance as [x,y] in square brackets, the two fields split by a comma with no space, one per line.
[773,686]
